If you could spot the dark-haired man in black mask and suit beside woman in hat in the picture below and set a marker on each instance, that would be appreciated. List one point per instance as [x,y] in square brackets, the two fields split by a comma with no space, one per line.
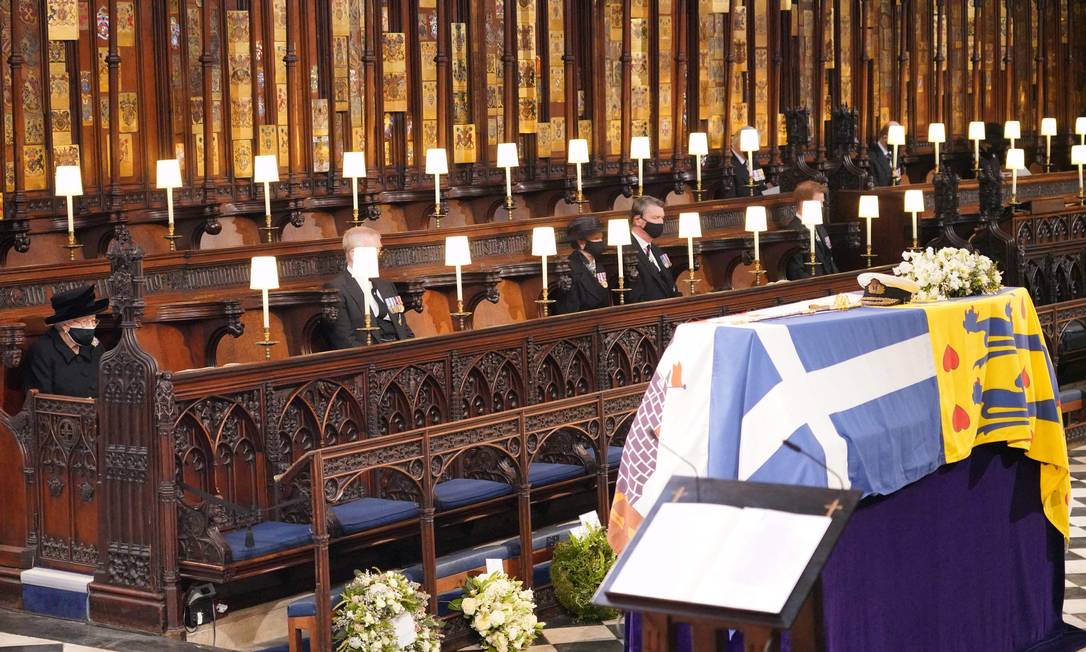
[654,279]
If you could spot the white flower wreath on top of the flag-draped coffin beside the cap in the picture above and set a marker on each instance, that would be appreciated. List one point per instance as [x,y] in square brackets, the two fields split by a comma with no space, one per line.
[950,273]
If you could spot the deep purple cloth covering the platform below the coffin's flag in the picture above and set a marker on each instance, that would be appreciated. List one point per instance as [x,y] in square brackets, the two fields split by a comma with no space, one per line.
[963,560]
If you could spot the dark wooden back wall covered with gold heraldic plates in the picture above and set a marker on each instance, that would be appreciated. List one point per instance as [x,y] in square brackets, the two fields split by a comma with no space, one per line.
[219,82]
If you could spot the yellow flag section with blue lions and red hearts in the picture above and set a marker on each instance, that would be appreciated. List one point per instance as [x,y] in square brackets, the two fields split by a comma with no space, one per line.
[997,385]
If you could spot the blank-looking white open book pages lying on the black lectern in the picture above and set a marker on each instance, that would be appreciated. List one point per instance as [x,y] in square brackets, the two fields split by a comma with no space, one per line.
[719,556]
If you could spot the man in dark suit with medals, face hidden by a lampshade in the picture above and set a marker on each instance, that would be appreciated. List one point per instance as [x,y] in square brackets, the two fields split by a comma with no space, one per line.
[385,305]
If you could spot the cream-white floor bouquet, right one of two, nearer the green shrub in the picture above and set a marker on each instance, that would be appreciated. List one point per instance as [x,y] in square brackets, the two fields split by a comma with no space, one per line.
[501,611]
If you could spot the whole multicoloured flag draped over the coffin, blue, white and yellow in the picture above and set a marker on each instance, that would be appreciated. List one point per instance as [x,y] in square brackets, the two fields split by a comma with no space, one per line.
[881,396]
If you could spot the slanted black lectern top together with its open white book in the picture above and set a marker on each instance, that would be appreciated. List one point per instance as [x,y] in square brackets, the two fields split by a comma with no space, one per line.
[744,548]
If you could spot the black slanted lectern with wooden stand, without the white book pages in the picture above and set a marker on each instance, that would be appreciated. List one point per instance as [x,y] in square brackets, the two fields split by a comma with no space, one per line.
[802,611]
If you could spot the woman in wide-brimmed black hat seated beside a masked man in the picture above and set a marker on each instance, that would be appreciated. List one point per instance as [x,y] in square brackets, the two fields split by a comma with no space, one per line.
[589,290]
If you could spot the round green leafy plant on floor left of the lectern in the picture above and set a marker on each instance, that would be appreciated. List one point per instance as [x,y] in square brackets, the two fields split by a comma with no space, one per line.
[577,570]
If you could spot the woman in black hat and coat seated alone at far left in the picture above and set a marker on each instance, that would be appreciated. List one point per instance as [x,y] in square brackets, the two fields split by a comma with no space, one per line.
[65,360]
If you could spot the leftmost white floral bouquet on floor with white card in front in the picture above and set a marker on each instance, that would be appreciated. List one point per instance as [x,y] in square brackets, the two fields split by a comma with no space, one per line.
[385,612]
